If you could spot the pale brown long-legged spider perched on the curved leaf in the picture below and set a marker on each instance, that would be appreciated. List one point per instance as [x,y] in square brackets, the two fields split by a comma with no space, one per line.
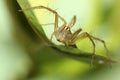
[63,34]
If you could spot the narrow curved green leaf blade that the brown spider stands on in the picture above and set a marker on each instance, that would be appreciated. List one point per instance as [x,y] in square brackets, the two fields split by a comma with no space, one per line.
[68,51]
